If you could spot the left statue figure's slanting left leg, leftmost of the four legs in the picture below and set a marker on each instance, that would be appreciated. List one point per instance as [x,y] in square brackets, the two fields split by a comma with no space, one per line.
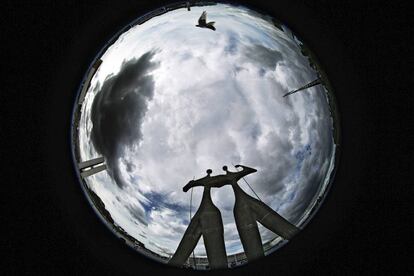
[187,243]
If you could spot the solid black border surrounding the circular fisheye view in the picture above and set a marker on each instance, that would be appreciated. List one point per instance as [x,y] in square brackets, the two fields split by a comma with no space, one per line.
[364,225]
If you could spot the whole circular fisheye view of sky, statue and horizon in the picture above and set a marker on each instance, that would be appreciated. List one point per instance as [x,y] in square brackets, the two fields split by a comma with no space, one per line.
[205,135]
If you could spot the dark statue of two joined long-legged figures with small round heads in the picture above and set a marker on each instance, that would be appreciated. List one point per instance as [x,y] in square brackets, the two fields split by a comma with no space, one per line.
[208,222]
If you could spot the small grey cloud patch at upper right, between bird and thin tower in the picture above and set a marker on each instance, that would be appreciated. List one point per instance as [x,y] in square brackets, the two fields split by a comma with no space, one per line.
[263,56]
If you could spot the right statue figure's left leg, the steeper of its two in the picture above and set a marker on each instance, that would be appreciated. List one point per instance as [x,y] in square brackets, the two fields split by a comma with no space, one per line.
[248,231]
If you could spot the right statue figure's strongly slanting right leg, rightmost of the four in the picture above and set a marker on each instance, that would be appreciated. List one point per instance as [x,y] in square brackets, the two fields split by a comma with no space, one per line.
[272,220]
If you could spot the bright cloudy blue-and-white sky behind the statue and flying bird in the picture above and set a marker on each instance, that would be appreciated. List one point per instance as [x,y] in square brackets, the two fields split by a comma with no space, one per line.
[171,100]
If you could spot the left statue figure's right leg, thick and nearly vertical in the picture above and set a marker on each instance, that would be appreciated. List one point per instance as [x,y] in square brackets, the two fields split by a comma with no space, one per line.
[213,235]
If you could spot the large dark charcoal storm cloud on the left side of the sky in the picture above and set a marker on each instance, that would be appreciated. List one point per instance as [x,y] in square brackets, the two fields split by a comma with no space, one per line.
[119,107]
